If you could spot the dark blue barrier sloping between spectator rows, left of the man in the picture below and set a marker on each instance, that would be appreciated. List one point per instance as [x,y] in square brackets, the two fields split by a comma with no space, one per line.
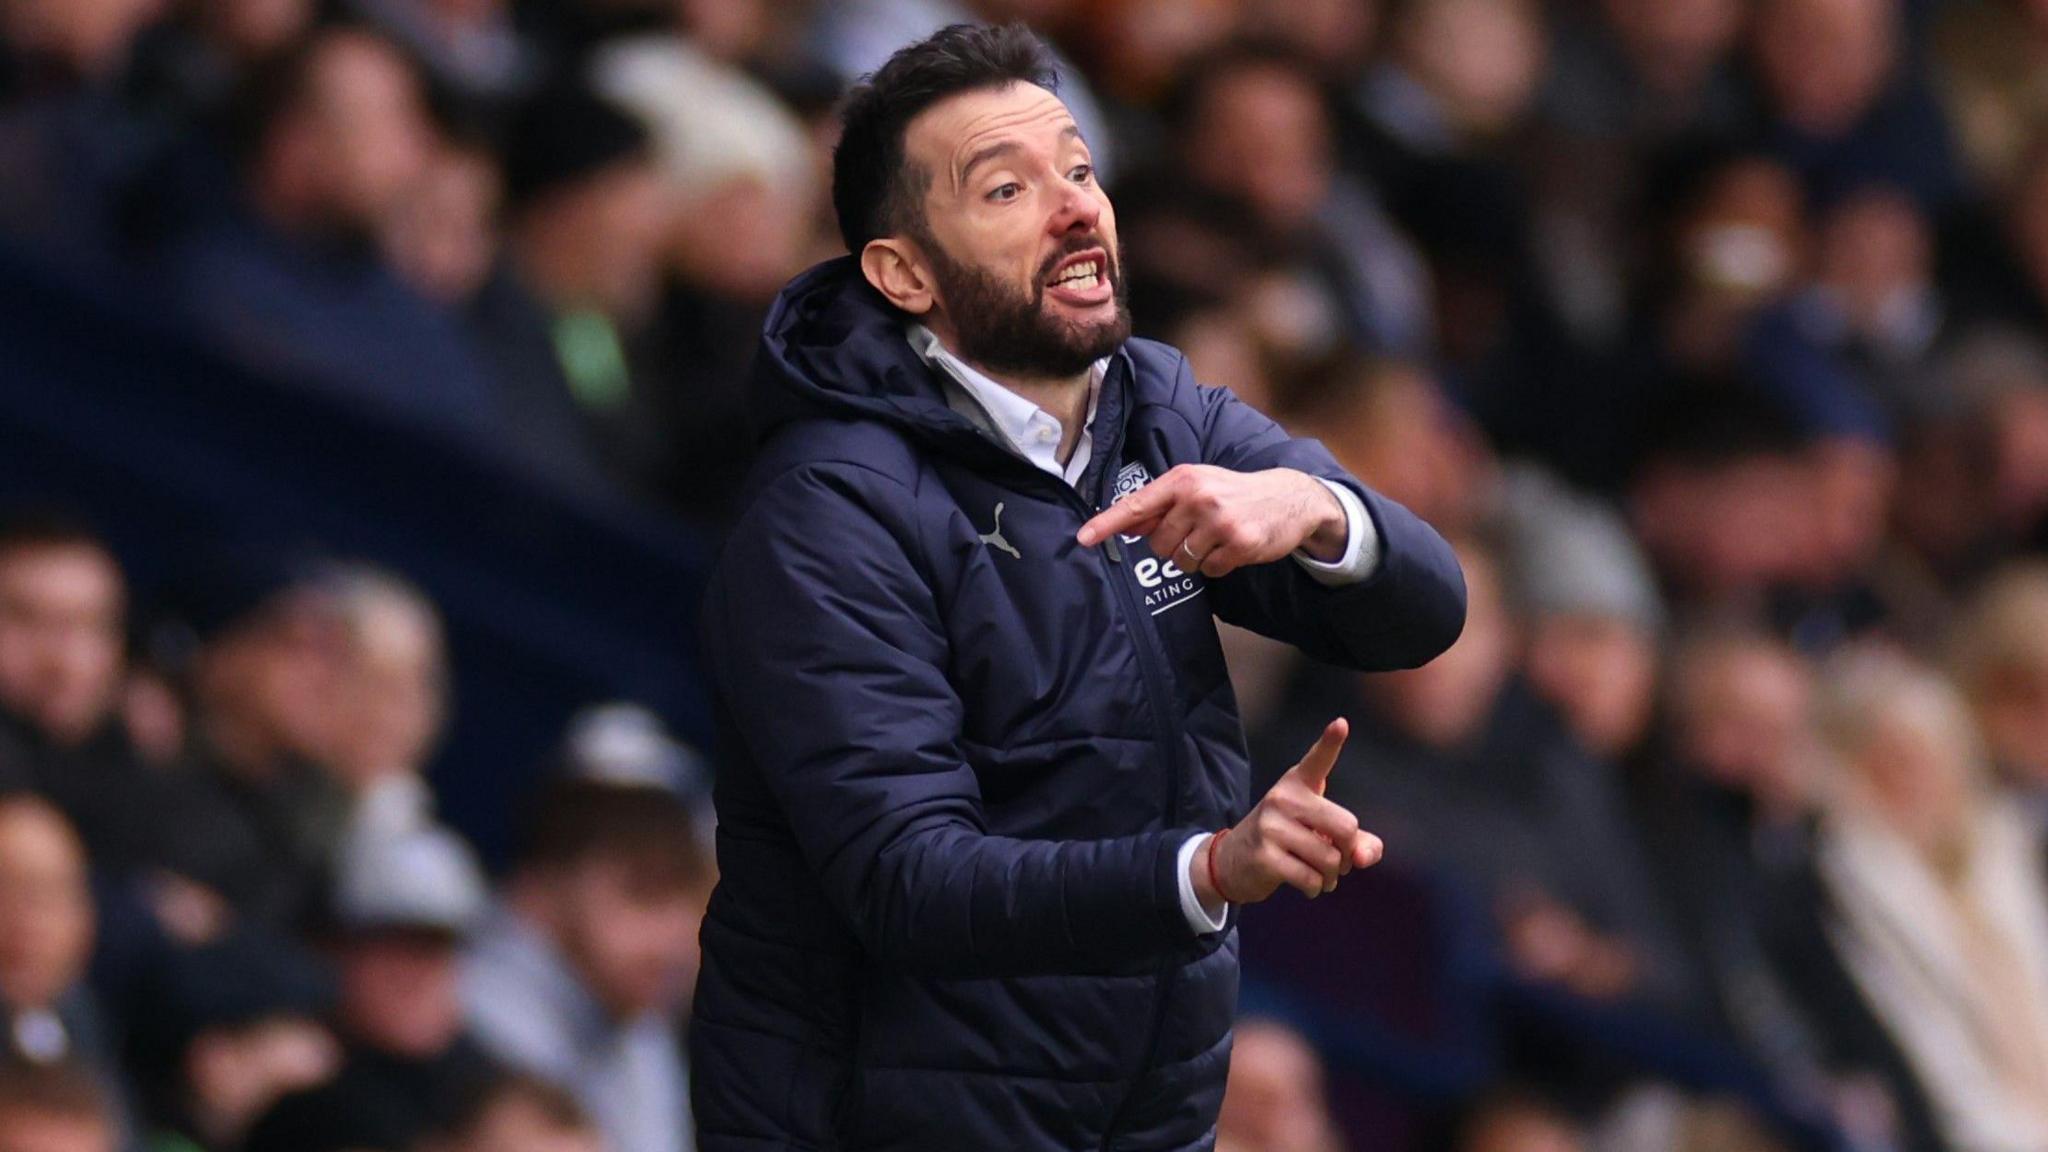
[554,600]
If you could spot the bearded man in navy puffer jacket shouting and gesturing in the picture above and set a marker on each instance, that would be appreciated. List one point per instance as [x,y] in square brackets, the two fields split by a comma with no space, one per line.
[980,725]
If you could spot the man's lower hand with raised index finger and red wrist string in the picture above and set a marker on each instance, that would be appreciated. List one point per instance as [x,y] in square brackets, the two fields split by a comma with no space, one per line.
[1291,837]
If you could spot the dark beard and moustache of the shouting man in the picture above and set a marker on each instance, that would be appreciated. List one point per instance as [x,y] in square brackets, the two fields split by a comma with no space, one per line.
[1011,333]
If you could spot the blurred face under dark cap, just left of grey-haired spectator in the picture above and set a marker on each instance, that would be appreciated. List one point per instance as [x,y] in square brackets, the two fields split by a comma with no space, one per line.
[267,688]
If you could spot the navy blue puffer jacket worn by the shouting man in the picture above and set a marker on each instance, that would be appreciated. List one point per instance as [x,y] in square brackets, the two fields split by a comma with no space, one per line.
[964,757]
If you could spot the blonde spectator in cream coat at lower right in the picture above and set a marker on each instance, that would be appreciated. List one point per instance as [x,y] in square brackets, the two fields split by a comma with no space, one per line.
[1938,905]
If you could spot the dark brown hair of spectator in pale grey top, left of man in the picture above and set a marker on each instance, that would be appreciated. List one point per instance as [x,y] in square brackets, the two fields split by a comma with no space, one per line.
[646,831]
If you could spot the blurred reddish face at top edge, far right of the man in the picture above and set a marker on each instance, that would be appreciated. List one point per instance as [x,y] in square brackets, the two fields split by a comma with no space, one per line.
[1826,63]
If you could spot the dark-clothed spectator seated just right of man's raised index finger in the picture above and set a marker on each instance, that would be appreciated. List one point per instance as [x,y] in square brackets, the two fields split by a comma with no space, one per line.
[1465,770]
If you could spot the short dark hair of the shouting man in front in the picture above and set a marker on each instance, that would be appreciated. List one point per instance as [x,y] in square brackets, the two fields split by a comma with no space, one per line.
[876,190]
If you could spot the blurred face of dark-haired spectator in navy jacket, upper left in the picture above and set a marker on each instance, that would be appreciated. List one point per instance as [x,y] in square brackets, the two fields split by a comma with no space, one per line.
[357,140]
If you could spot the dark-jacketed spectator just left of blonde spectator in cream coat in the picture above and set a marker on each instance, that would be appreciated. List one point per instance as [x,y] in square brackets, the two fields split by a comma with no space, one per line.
[1730,817]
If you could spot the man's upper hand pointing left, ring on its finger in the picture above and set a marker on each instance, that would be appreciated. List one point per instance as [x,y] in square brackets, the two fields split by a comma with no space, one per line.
[1213,522]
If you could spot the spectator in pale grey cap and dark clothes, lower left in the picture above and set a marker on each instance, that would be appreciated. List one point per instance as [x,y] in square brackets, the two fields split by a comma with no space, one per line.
[400,915]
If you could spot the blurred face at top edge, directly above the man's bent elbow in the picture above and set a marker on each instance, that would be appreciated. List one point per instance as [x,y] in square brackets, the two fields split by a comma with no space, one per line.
[1482,58]
